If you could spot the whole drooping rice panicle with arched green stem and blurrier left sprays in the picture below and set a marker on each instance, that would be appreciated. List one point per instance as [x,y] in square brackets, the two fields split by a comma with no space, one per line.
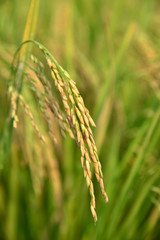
[77,118]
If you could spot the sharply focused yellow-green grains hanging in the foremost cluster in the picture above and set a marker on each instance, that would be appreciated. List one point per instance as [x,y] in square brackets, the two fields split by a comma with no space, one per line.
[79,120]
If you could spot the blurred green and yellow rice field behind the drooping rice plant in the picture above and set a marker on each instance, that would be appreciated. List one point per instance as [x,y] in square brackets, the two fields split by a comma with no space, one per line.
[112,50]
